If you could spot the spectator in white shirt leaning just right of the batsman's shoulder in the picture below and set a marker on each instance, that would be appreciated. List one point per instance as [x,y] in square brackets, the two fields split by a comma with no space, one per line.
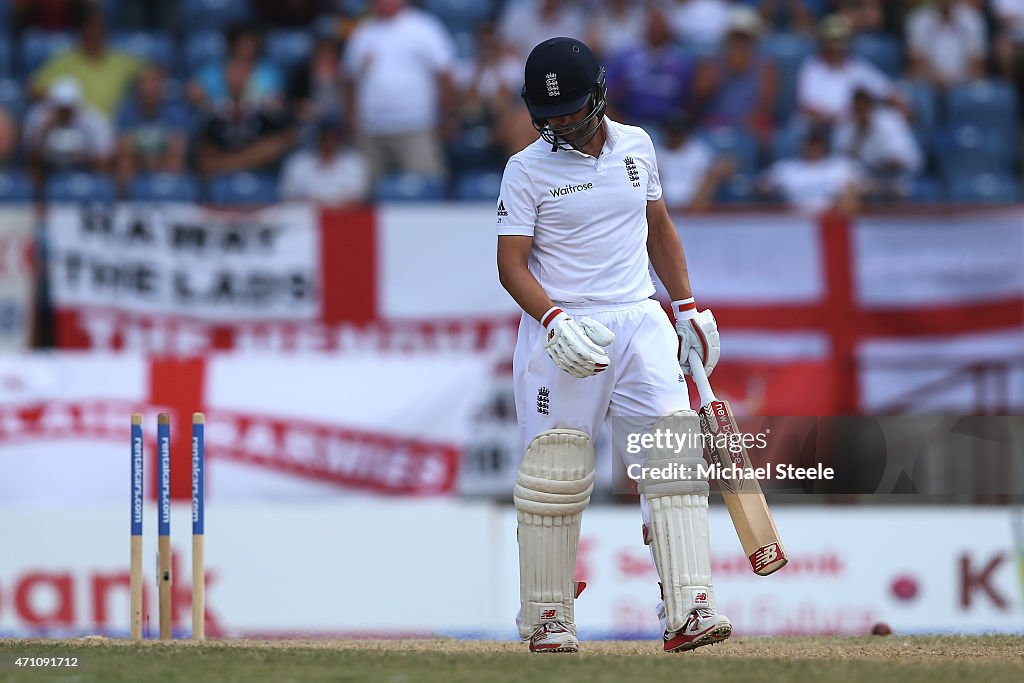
[691,173]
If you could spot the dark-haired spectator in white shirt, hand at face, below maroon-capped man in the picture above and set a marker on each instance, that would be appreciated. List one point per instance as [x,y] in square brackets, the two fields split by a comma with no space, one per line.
[880,139]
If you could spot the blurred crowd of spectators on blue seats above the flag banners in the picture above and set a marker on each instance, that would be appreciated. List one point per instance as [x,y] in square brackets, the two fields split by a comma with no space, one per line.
[814,104]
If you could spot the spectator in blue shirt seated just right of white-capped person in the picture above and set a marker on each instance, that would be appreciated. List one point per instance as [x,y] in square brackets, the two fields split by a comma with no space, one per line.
[153,132]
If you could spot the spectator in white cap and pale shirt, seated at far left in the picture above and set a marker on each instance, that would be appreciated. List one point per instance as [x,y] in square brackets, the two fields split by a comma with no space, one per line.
[65,133]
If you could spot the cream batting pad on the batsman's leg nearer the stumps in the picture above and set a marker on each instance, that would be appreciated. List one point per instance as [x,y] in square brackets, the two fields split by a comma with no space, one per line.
[553,488]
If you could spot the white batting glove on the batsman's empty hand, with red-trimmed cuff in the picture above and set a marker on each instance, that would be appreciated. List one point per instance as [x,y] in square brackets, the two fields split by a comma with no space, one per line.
[577,347]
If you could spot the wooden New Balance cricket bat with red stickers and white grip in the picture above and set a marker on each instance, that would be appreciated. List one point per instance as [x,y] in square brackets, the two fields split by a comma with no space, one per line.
[744,498]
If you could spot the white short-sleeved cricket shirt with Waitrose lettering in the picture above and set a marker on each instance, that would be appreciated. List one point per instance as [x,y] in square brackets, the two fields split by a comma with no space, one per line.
[588,217]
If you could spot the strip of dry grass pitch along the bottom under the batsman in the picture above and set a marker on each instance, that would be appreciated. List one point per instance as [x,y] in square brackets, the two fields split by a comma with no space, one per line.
[878,660]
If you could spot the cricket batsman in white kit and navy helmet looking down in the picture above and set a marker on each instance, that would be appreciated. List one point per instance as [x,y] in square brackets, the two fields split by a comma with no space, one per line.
[580,222]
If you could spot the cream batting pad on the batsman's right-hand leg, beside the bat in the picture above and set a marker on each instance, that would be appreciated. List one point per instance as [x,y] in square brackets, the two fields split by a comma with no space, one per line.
[678,529]
